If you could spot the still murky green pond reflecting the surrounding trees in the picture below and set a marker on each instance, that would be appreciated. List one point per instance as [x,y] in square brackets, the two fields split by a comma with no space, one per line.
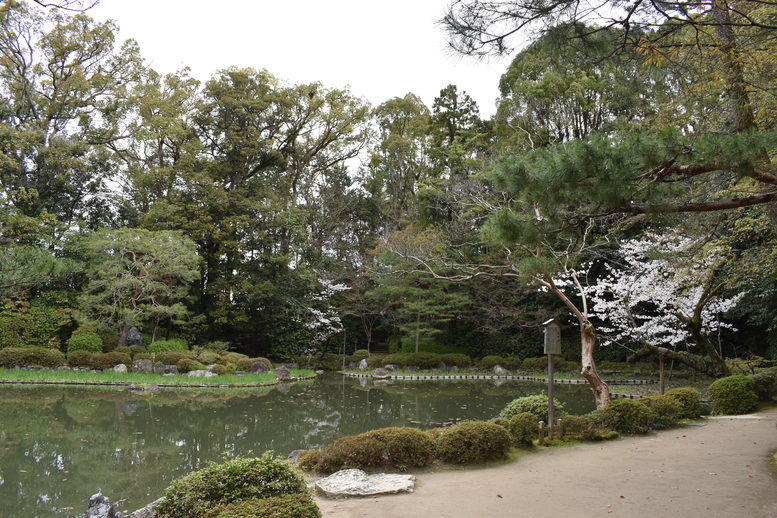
[58,445]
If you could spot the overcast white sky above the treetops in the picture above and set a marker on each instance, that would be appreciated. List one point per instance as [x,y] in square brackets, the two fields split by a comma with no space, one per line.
[380,48]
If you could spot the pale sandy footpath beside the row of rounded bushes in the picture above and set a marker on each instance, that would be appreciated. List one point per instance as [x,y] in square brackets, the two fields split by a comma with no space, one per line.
[721,469]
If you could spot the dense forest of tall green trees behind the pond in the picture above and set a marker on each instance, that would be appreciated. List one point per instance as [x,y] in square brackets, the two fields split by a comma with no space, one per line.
[630,182]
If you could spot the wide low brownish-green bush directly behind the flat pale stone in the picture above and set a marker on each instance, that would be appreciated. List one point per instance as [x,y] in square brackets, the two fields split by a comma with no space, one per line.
[401,448]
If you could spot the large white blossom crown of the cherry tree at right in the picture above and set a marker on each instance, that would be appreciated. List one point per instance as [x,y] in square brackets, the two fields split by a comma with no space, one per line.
[660,278]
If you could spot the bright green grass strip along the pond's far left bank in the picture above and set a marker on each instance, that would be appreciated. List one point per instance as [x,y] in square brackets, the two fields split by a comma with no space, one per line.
[118,378]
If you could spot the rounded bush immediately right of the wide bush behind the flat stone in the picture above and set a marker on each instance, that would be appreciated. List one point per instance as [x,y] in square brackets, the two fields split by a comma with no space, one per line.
[472,442]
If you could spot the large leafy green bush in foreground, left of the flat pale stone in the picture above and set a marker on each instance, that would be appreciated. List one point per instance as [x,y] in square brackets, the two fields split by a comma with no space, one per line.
[241,479]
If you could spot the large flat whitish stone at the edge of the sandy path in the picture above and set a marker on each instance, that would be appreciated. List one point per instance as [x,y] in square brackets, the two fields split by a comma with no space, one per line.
[355,482]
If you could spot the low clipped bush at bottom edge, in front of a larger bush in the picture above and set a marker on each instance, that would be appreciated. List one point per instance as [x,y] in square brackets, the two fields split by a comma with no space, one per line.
[296,505]
